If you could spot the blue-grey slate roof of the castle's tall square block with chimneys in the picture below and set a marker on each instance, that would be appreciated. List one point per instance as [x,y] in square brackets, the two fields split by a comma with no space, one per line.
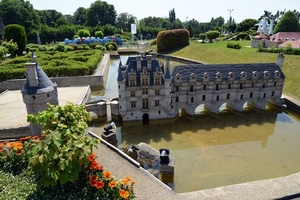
[132,64]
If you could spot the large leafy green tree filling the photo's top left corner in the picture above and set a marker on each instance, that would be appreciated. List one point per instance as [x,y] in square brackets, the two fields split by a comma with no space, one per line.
[20,12]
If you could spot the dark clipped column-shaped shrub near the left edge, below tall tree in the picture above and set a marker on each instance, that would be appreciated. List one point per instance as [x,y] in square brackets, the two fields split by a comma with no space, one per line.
[16,33]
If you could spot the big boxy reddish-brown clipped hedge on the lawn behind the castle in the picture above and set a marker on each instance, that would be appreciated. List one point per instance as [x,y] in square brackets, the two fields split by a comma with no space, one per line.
[168,40]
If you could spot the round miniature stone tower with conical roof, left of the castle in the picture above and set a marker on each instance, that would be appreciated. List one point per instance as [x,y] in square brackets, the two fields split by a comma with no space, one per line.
[38,90]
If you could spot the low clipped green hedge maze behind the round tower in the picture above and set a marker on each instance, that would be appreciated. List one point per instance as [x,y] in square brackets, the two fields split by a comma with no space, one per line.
[55,64]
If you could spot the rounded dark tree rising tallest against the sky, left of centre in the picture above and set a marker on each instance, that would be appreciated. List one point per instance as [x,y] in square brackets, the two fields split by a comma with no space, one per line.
[101,13]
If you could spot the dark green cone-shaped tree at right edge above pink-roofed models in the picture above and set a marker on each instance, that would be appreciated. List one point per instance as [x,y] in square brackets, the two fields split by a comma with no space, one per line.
[288,23]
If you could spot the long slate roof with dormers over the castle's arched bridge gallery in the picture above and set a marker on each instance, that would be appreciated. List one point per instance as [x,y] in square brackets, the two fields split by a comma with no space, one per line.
[186,70]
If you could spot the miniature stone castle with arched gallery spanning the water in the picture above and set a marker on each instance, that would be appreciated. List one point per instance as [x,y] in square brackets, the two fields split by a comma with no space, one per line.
[148,91]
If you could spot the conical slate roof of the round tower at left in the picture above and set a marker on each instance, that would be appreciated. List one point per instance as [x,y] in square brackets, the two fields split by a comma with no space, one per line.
[44,83]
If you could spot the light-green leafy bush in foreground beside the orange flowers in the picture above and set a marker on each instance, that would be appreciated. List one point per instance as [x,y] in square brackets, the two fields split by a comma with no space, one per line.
[61,155]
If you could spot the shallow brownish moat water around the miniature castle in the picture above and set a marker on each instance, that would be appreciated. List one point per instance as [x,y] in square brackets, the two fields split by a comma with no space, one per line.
[211,152]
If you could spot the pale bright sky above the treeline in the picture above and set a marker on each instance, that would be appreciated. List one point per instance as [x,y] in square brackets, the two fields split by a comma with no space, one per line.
[200,10]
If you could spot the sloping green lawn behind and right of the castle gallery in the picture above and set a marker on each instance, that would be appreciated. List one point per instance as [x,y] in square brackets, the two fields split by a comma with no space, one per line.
[218,53]
